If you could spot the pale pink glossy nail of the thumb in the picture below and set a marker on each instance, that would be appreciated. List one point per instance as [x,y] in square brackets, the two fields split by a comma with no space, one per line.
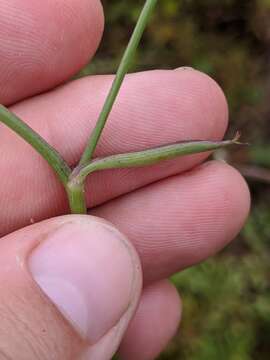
[86,269]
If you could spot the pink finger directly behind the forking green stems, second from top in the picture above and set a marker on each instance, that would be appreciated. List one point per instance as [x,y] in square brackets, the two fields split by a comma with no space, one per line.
[153,108]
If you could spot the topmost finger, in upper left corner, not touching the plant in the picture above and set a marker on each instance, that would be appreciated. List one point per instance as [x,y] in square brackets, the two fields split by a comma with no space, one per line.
[43,43]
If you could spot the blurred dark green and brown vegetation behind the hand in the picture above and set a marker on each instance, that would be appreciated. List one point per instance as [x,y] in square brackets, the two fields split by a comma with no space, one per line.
[226,299]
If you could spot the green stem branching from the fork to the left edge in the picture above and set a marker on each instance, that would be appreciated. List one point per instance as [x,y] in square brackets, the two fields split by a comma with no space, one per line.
[37,142]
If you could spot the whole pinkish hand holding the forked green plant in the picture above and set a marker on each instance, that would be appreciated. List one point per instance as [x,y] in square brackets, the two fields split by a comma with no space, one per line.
[71,284]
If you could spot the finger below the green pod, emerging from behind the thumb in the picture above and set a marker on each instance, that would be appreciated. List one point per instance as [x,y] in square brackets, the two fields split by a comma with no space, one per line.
[180,221]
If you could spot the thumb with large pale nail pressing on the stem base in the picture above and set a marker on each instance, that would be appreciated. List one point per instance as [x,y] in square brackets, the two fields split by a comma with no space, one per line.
[69,287]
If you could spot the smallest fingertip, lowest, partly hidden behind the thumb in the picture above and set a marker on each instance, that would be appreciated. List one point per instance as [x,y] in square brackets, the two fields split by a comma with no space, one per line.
[155,323]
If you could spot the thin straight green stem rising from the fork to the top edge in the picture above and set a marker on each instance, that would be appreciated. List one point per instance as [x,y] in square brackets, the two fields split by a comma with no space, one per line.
[122,70]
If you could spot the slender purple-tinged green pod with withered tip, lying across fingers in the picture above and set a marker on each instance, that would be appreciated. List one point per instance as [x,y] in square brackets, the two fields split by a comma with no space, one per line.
[149,157]
